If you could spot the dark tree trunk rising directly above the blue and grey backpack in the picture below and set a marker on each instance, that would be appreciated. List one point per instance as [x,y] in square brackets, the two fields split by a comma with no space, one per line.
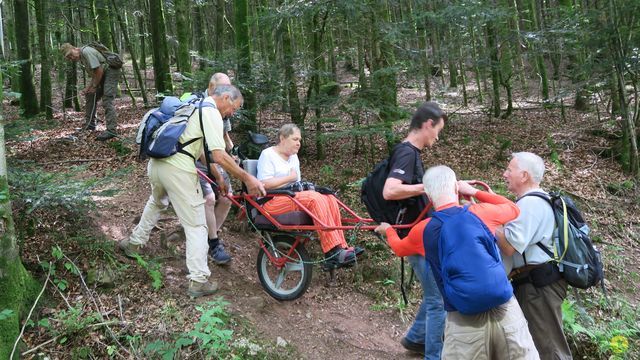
[161,70]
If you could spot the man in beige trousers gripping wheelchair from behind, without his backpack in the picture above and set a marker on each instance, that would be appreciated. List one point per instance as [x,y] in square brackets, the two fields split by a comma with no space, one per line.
[175,179]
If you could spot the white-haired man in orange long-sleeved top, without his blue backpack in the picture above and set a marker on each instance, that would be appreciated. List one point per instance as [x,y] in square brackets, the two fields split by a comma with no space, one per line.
[482,334]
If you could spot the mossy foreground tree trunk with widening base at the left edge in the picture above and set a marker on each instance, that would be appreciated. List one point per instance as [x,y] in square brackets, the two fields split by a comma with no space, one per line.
[15,283]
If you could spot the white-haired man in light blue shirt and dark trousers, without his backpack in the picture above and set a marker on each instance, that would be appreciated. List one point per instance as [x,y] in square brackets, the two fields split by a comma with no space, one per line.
[538,284]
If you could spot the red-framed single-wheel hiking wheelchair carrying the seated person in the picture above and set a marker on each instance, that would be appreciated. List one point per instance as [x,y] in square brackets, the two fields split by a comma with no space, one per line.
[283,264]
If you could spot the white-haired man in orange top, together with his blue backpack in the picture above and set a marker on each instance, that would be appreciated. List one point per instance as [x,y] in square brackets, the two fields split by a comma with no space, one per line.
[497,331]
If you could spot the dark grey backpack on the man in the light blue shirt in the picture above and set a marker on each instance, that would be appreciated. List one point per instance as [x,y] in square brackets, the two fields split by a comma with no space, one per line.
[579,261]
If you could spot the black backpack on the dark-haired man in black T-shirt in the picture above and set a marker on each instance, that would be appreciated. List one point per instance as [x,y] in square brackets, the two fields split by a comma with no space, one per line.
[379,209]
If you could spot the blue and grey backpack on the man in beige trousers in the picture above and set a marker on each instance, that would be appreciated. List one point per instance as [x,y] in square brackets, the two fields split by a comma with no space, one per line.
[161,128]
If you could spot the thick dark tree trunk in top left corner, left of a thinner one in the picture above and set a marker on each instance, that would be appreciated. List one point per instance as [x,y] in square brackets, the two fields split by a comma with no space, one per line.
[28,99]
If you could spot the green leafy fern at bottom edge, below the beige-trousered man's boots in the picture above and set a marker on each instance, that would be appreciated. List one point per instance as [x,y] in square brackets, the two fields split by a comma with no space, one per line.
[209,335]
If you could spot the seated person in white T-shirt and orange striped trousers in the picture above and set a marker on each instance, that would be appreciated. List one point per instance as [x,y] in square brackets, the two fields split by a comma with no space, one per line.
[278,166]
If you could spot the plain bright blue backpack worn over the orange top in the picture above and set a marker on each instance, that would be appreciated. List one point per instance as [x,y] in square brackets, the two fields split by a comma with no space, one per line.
[473,277]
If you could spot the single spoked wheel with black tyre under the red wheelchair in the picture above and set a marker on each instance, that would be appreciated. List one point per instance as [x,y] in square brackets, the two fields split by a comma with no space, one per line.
[291,279]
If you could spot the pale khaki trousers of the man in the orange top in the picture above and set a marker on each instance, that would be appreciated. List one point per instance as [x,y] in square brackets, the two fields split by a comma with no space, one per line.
[500,333]
